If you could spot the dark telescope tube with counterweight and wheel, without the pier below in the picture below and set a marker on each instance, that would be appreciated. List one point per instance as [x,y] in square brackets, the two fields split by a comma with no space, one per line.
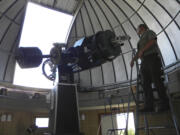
[86,53]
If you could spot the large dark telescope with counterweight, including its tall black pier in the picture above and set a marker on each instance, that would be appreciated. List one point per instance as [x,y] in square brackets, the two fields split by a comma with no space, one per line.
[86,53]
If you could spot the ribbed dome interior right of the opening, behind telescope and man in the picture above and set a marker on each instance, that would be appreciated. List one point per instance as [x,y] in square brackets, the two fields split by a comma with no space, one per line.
[123,17]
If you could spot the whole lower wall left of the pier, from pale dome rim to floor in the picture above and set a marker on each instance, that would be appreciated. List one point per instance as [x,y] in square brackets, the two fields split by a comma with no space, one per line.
[19,102]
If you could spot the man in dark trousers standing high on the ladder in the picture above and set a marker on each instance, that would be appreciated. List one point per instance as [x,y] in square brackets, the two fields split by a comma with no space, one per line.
[151,65]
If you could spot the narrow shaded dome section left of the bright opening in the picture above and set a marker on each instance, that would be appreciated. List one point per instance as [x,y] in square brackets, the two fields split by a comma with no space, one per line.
[12,14]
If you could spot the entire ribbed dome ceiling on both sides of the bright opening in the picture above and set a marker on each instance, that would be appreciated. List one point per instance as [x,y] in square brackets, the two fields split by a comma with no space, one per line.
[91,16]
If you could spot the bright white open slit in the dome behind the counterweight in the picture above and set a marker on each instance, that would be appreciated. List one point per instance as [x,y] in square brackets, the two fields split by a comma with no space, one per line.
[42,27]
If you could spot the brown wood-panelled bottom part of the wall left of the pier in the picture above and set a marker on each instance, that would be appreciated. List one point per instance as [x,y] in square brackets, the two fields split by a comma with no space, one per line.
[21,120]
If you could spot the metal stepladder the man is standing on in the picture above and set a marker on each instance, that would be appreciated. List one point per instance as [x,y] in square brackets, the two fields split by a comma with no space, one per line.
[147,128]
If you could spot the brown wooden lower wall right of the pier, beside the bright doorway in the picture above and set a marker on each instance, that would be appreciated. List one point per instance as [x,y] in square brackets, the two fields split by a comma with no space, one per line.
[90,125]
